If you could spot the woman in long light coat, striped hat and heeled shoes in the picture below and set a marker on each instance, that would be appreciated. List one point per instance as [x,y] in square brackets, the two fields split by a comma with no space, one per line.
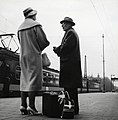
[32,41]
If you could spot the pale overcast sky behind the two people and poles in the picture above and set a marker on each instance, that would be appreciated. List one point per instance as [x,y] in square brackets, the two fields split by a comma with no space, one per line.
[93,18]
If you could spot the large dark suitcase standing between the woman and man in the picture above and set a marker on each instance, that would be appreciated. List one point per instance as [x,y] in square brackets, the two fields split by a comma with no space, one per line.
[50,105]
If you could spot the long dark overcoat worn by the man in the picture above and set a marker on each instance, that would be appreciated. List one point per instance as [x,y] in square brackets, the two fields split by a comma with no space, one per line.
[70,61]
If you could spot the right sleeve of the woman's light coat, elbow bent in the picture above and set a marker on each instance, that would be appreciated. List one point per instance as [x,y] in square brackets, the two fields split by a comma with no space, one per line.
[41,37]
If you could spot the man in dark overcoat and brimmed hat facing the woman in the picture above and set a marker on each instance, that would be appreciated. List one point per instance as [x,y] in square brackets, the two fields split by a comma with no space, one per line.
[70,62]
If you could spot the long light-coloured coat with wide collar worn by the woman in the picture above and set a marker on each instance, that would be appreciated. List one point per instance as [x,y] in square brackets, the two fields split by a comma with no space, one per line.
[32,40]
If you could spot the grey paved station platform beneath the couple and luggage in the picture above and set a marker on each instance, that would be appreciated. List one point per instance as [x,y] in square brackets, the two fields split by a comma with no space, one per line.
[93,106]
